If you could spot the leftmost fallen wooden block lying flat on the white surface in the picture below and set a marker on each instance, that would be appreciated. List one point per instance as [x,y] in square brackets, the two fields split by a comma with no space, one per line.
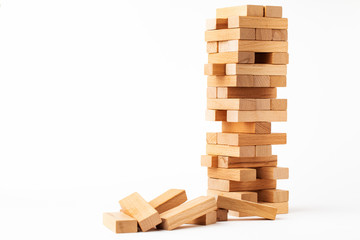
[119,222]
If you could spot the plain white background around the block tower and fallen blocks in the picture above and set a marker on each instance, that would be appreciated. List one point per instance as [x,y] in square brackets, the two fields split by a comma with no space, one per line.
[99,99]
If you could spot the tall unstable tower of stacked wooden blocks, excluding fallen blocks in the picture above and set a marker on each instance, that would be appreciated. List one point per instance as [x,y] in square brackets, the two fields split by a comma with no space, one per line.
[247,47]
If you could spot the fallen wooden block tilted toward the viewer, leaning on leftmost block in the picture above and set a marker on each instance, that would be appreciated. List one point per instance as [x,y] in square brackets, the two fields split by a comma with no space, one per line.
[141,210]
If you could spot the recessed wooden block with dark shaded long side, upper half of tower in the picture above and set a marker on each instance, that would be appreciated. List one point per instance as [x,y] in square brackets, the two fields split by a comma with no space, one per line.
[248,92]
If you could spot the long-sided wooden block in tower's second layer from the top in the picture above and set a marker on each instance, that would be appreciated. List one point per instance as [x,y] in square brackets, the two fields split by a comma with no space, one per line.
[257,22]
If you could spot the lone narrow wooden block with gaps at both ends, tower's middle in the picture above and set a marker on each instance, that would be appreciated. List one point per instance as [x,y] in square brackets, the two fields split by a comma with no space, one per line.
[246,127]
